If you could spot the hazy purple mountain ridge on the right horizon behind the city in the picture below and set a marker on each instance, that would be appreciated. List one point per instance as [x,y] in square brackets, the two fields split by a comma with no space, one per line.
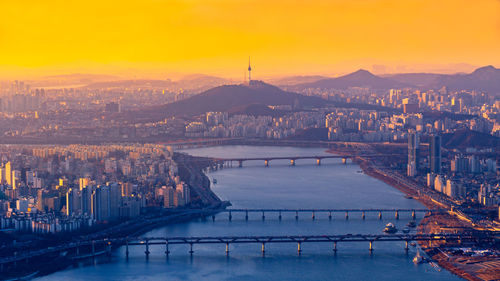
[482,79]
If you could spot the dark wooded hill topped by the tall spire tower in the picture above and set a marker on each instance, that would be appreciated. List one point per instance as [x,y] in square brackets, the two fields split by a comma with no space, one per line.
[251,97]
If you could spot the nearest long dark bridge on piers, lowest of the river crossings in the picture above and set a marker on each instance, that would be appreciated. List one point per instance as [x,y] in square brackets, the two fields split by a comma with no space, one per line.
[458,239]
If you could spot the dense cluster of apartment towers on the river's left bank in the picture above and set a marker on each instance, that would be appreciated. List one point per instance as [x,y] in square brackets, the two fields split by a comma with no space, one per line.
[63,188]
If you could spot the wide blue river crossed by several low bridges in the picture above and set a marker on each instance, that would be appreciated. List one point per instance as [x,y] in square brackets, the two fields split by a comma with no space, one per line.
[306,185]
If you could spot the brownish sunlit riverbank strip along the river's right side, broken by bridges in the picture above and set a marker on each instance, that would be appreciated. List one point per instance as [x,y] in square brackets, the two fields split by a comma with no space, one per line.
[469,268]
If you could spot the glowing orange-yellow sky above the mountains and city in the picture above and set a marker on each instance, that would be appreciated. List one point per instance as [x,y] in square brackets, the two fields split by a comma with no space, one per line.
[216,37]
